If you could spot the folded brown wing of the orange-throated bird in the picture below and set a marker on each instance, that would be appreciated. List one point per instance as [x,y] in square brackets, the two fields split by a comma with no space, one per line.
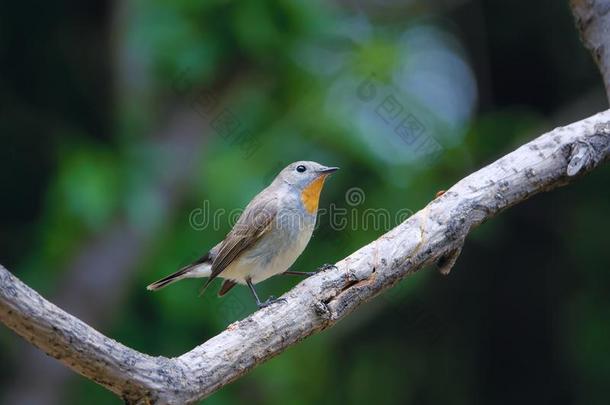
[256,220]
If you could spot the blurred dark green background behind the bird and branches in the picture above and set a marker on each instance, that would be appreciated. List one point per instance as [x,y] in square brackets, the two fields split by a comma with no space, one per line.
[121,121]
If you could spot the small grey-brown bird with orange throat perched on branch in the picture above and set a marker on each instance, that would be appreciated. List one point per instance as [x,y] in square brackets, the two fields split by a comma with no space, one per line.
[268,237]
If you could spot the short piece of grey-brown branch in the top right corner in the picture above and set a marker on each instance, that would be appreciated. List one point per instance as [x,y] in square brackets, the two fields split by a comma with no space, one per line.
[593,21]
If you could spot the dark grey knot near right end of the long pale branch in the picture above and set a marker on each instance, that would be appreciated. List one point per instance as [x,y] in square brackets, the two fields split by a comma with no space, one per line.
[589,152]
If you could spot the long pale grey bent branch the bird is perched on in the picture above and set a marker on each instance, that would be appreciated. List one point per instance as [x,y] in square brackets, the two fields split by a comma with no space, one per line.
[434,234]
